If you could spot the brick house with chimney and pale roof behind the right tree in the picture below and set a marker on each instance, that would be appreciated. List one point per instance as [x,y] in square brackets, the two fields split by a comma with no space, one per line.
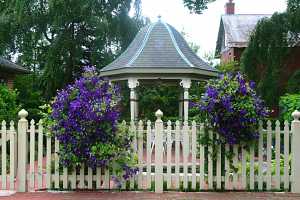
[233,37]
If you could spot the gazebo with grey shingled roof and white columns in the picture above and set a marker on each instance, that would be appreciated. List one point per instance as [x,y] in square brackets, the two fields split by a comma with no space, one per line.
[159,53]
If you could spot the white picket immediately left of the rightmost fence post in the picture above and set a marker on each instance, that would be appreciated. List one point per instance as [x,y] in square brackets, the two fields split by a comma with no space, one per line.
[286,155]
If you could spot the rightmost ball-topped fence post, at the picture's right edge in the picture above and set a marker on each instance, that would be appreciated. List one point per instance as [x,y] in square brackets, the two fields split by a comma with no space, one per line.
[296,152]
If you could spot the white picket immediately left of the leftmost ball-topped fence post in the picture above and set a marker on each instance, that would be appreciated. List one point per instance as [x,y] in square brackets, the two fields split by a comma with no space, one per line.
[12,156]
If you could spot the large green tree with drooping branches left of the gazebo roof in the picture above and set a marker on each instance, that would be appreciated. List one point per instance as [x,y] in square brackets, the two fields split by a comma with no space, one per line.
[55,38]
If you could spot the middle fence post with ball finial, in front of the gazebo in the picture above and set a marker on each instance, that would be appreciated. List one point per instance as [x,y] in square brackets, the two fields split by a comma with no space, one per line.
[158,152]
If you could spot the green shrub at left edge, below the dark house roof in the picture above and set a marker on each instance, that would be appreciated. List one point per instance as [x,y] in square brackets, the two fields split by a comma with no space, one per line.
[8,105]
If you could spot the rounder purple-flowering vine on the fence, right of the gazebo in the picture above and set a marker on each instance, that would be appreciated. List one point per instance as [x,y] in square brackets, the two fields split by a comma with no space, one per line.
[233,108]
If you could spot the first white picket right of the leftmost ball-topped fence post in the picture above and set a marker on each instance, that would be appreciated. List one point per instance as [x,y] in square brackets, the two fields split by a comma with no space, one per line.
[32,155]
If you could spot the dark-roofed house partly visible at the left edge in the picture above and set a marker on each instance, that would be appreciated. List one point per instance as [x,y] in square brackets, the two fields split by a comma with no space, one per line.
[8,72]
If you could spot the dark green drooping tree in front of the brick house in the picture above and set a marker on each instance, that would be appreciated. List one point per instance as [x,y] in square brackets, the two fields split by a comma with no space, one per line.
[269,46]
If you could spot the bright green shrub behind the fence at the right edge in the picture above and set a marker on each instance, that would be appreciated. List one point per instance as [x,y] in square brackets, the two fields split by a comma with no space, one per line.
[288,104]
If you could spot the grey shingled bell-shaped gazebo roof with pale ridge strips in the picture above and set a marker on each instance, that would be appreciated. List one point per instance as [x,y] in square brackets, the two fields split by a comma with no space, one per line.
[158,51]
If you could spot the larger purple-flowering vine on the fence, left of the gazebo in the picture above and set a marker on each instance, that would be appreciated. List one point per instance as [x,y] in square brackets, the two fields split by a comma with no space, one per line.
[85,116]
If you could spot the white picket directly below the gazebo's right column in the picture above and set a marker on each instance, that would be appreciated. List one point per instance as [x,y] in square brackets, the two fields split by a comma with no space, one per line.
[186,146]
